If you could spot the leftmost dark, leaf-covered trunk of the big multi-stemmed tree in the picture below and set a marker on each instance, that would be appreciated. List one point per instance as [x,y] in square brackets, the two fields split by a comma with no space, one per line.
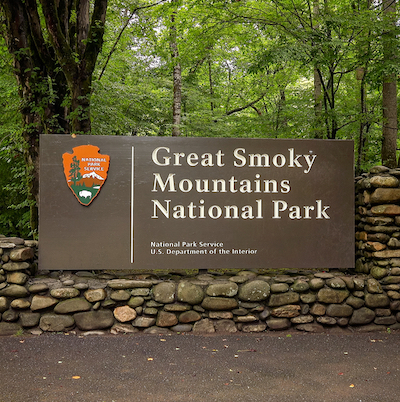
[33,76]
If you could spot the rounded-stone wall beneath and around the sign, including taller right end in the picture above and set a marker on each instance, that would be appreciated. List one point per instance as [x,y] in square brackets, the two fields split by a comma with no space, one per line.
[364,299]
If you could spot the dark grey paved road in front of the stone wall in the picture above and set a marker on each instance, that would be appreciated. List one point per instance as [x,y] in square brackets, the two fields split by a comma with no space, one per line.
[276,367]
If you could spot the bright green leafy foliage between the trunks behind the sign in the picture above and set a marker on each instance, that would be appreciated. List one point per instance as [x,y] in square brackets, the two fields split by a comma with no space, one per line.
[247,71]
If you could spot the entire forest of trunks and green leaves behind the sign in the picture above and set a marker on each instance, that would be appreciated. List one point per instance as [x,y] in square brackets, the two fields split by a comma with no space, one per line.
[324,69]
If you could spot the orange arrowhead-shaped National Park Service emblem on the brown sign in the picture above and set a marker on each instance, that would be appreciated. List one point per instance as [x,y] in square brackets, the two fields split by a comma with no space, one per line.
[85,171]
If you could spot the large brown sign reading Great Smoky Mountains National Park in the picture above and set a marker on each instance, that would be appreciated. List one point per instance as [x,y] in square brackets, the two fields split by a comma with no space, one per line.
[180,203]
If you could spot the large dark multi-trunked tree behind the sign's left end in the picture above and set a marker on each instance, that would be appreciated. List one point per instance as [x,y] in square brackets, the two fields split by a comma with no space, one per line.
[54,49]
